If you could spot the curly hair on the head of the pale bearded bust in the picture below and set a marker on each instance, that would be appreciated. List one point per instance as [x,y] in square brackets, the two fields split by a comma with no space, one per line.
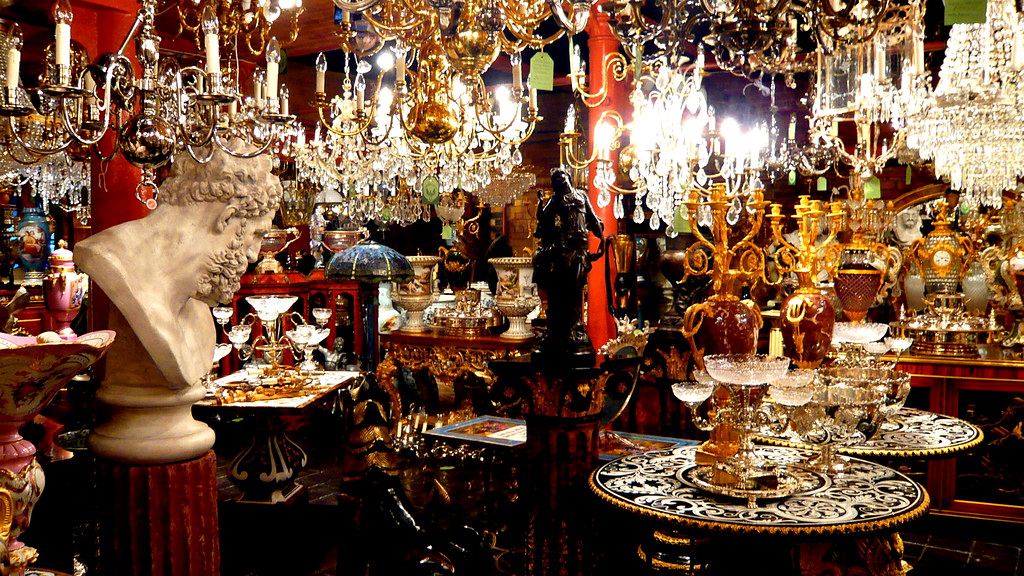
[245,184]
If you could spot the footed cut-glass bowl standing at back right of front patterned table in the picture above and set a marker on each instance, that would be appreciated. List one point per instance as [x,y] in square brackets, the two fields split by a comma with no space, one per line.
[837,416]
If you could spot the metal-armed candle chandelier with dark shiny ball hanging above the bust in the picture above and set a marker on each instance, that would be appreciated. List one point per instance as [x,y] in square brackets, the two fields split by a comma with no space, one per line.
[165,109]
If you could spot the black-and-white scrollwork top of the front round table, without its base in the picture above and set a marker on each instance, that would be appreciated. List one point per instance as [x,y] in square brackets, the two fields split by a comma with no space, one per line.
[867,498]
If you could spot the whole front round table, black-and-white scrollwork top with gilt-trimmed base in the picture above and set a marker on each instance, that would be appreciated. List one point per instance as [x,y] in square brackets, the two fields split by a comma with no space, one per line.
[860,510]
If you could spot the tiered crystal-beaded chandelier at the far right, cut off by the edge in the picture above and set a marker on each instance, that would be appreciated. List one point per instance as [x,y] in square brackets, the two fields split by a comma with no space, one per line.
[972,130]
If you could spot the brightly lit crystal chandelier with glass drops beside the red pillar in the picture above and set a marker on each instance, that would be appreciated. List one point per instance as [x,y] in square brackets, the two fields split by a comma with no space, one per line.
[677,151]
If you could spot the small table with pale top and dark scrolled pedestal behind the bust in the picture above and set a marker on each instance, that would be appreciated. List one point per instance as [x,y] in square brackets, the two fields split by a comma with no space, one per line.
[265,470]
